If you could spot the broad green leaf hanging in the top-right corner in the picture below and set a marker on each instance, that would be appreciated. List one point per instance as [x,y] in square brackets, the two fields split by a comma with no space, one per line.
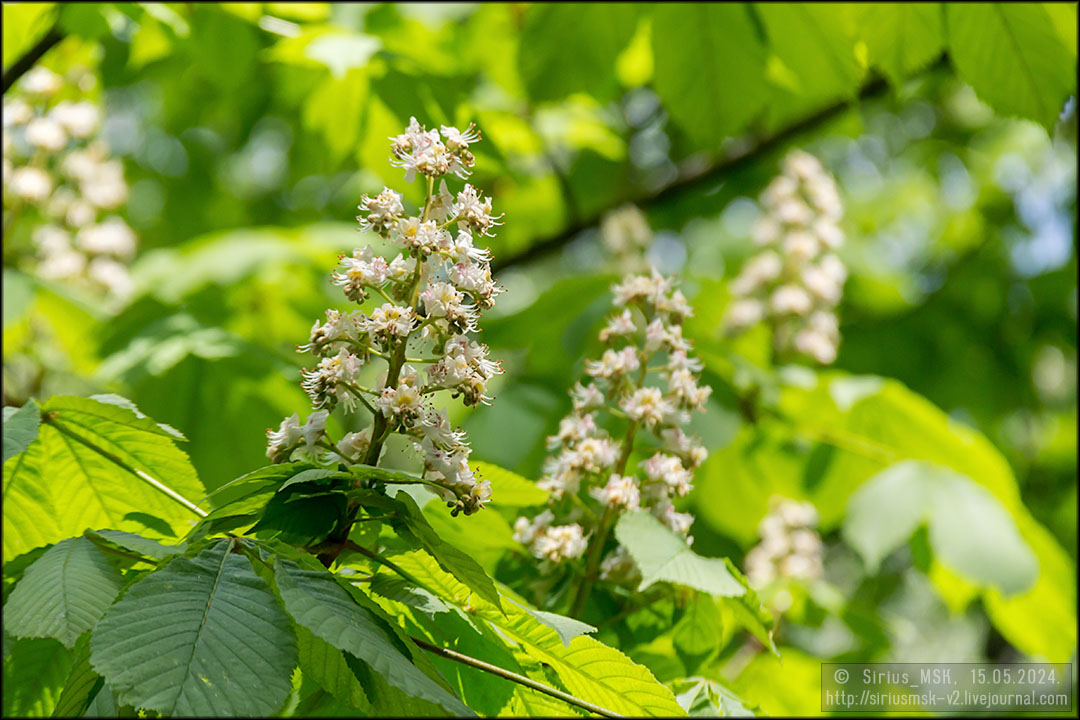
[1014,58]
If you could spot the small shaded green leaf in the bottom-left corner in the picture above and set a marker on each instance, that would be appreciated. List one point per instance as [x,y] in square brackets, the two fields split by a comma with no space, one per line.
[34,675]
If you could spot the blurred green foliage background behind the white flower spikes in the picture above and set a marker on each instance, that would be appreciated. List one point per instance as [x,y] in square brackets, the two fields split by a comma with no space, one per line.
[250,131]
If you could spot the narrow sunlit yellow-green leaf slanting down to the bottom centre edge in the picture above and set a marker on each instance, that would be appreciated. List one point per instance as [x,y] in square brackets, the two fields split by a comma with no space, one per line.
[588,670]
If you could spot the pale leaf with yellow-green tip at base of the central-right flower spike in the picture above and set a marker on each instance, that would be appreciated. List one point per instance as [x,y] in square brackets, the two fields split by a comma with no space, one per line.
[661,555]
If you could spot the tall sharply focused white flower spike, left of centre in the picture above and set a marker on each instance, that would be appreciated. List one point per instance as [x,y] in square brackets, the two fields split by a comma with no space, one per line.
[429,300]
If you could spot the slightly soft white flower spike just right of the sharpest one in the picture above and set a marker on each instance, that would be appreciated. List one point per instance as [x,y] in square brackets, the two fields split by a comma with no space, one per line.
[591,468]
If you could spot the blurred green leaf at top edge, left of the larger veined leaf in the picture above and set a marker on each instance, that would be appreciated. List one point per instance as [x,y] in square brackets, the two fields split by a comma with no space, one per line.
[569,49]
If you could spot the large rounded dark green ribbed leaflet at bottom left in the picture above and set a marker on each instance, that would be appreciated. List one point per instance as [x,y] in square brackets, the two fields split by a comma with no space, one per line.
[199,637]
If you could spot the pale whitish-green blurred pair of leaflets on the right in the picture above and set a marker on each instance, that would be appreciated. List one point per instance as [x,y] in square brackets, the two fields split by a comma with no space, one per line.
[970,532]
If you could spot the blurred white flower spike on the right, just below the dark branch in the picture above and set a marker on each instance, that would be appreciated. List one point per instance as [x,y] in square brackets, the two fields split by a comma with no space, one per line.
[796,281]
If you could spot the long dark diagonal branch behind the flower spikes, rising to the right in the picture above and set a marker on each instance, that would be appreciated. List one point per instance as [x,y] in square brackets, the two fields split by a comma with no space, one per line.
[701,180]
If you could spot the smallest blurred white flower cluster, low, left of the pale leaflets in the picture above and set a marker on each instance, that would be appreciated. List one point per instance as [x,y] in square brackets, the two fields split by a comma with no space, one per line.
[790,548]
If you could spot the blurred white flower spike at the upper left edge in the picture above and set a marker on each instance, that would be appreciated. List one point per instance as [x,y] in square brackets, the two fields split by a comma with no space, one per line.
[56,164]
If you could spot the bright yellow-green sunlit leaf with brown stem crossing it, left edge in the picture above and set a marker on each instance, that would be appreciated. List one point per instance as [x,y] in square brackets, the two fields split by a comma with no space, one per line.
[94,465]
